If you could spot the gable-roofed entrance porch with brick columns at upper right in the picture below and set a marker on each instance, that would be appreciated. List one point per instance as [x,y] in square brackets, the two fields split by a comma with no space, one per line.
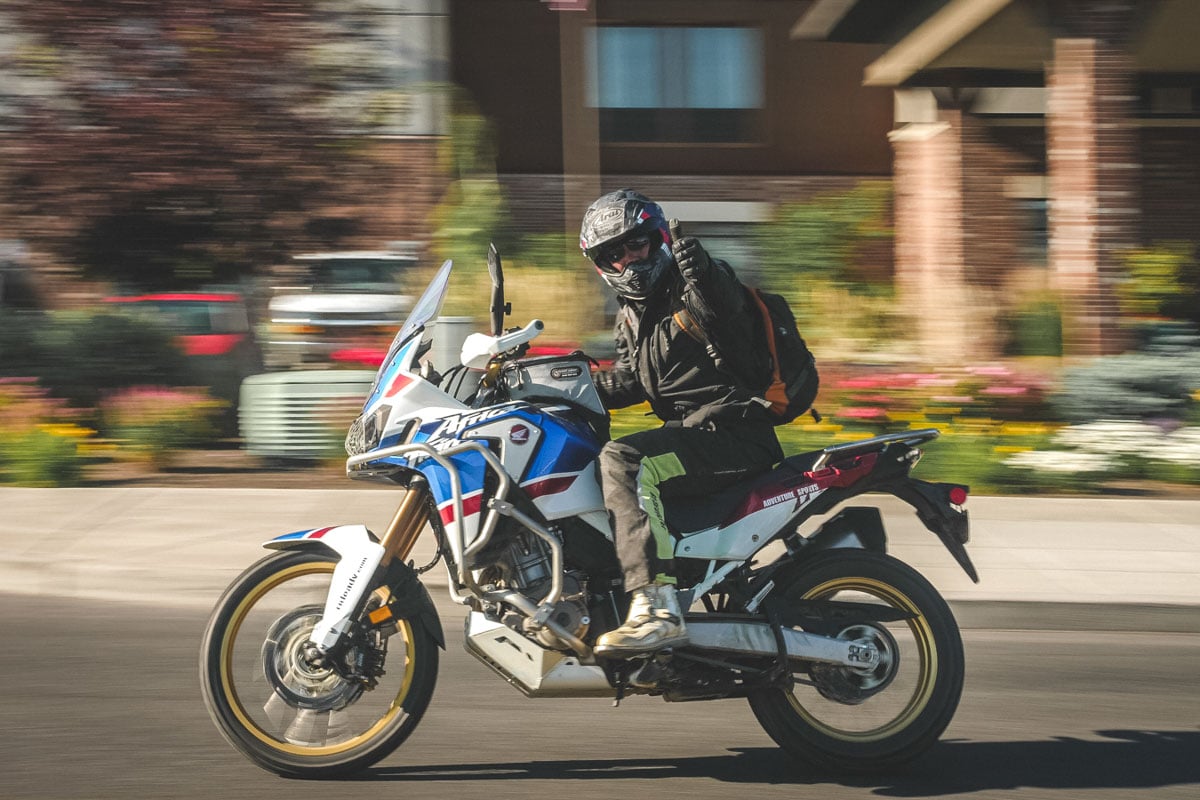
[1036,142]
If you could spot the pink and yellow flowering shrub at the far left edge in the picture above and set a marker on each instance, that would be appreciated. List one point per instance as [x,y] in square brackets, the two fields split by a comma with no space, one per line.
[39,443]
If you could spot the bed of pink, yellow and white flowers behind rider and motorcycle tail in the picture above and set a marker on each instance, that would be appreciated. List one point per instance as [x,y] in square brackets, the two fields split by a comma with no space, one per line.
[998,434]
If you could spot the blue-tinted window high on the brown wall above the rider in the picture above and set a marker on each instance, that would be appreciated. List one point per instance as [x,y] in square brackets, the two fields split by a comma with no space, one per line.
[676,85]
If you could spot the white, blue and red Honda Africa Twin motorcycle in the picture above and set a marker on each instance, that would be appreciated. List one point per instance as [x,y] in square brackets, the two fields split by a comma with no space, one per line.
[321,659]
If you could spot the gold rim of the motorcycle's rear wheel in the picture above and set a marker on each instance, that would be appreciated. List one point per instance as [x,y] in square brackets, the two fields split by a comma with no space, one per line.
[923,635]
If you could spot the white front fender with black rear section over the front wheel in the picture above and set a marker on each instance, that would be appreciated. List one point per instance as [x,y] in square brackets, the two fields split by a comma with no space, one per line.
[411,600]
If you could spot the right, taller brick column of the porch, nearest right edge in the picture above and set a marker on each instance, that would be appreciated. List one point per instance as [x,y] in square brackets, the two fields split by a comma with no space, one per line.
[1091,161]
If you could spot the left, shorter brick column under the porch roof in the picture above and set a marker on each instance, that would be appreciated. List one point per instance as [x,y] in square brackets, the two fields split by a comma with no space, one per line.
[929,257]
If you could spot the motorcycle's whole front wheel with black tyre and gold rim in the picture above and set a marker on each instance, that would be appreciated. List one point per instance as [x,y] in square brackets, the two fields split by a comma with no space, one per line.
[289,715]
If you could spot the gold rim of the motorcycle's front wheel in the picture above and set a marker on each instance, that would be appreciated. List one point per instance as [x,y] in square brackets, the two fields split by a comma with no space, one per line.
[231,693]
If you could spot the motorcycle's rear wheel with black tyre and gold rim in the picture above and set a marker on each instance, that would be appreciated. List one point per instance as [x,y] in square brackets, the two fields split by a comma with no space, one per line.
[850,719]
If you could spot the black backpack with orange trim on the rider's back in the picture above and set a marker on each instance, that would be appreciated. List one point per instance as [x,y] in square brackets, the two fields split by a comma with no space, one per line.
[784,372]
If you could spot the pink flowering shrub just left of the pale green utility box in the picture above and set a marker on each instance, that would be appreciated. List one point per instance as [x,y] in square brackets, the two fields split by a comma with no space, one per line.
[154,423]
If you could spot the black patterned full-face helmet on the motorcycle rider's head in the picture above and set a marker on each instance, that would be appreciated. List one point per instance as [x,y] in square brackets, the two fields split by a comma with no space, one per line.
[614,220]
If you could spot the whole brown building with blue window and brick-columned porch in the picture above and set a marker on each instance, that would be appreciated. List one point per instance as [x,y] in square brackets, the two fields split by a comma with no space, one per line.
[1031,142]
